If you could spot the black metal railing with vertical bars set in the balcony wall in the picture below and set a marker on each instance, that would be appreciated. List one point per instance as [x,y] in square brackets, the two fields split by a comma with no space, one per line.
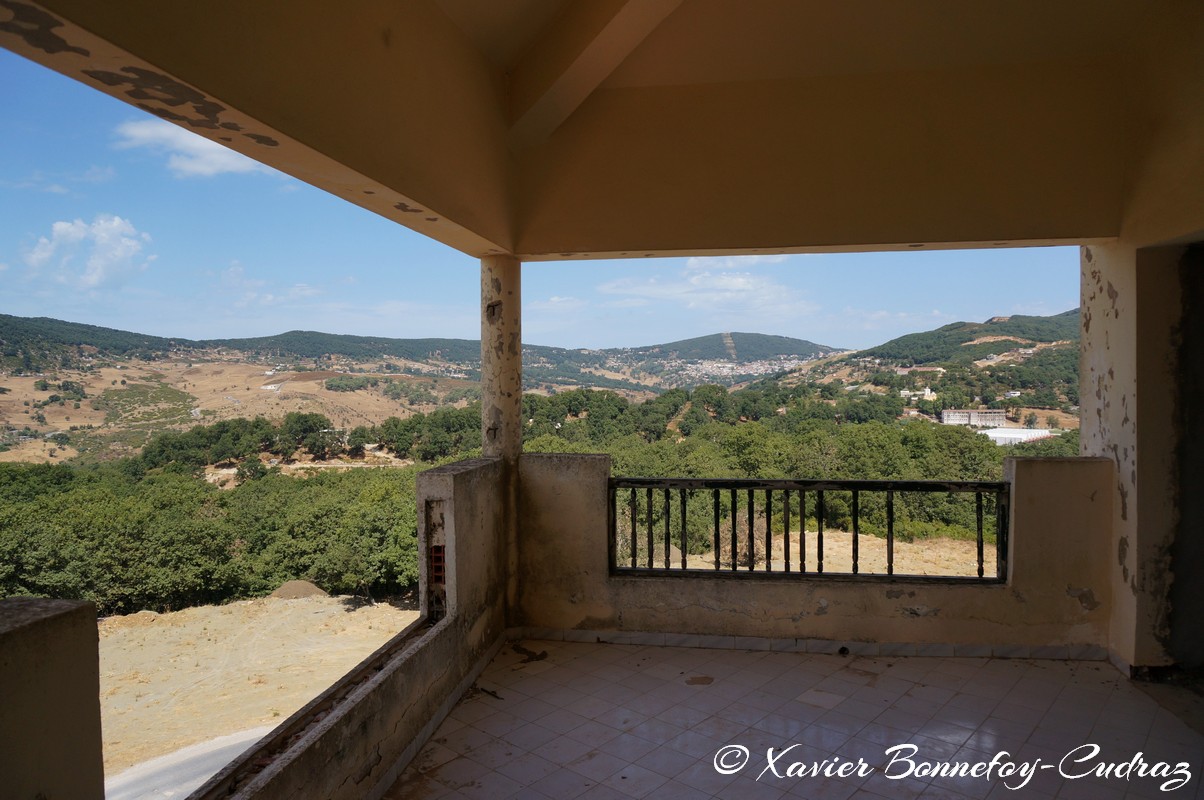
[770,528]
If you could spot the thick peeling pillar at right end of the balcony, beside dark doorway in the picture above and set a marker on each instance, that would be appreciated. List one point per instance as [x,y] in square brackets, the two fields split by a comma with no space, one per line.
[1129,386]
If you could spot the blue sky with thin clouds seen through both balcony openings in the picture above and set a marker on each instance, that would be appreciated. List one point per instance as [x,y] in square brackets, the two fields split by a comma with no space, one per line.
[115,219]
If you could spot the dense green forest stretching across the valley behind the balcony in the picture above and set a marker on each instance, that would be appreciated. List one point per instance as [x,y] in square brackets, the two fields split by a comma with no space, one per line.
[149,532]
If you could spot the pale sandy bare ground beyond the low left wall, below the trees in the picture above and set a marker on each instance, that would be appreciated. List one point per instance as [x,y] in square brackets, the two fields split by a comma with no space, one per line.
[169,681]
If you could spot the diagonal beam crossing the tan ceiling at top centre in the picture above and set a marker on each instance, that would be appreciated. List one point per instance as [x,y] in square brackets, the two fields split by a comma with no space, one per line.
[573,58]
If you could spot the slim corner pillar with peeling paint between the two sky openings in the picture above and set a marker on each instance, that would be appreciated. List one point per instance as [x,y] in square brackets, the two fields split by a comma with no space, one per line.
[501,357]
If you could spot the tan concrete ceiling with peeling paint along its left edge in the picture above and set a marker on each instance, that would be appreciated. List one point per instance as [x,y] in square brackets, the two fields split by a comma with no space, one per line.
[587,128]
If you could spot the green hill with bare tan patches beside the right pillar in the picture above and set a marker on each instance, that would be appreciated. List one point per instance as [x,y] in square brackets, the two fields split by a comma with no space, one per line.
[964,343]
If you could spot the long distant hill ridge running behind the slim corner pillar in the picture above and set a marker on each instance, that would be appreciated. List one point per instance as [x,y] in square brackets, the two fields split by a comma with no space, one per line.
[38,345]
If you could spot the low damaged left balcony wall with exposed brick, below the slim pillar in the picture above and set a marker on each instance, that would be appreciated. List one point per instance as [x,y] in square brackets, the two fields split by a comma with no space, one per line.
[359,749]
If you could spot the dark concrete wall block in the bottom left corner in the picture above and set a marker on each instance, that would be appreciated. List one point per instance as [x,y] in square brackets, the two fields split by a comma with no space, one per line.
[50,701]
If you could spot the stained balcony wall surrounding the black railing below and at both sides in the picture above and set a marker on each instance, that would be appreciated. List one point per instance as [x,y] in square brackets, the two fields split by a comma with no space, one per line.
[1059,593]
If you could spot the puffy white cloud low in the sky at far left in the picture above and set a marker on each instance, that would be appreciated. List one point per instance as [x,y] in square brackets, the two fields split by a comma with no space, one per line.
[91,256]
